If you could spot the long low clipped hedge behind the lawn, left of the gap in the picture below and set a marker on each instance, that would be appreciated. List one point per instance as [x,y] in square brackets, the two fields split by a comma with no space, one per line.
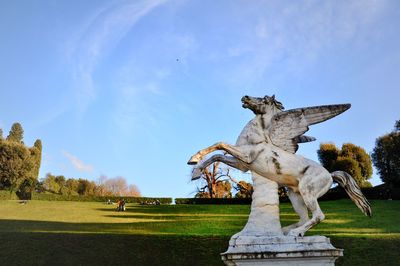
[141,200]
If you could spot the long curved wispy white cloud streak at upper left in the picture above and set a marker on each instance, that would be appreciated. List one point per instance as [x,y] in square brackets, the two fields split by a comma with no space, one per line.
[99,35]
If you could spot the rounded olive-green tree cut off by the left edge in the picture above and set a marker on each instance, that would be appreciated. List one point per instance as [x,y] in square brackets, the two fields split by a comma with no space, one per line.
[15,165]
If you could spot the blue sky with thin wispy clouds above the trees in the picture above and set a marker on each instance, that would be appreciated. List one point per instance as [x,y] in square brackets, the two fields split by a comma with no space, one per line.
[134,88]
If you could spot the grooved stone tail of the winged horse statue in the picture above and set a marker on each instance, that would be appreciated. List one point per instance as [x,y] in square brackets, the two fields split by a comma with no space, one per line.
[353,190]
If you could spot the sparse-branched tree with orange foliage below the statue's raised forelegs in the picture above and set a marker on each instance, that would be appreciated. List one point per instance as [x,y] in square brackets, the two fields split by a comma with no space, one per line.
[215,186]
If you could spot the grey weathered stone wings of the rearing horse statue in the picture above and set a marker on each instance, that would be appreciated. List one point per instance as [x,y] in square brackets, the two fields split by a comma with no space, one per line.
[287,127]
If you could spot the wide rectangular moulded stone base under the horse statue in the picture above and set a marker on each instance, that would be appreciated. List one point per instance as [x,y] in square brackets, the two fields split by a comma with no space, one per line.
[280,250]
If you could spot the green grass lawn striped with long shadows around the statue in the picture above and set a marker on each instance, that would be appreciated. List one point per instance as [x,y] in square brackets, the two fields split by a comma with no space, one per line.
[92,233]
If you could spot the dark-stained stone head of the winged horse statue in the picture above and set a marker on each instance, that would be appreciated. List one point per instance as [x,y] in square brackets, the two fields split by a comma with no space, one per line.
[262,105]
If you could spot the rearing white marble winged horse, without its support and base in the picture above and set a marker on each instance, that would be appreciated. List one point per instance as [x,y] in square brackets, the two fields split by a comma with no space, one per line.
[267,147]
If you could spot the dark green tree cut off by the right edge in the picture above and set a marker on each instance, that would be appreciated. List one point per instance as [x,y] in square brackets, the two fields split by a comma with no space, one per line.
[386,157]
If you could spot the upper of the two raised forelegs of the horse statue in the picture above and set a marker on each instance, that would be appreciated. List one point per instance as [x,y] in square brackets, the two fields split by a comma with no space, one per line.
[232,150]
